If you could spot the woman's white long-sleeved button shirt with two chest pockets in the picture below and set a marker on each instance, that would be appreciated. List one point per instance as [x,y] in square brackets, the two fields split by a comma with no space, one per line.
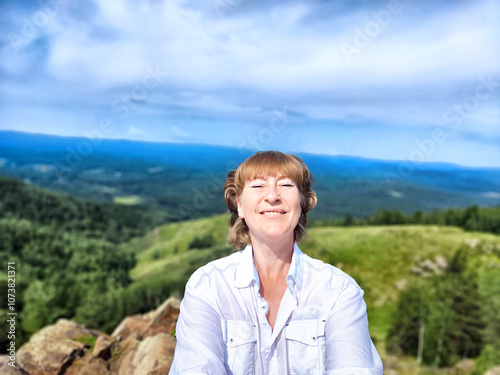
[321,326]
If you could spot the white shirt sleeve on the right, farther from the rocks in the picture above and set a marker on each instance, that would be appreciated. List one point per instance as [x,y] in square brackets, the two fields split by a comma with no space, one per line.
[349,348]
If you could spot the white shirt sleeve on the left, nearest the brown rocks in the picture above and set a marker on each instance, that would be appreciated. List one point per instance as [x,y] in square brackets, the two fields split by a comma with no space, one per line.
[199,348]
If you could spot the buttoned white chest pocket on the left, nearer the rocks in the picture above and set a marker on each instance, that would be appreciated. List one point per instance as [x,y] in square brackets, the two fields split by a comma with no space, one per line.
[239,352]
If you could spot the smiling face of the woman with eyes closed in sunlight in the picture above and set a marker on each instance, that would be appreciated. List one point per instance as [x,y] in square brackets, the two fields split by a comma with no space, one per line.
[270,207]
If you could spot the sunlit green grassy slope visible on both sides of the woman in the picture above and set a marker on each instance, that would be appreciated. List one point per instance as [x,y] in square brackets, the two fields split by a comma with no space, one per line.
[380,258]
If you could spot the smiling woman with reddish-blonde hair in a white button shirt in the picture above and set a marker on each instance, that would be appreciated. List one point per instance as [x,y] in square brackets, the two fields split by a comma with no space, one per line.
[271,309]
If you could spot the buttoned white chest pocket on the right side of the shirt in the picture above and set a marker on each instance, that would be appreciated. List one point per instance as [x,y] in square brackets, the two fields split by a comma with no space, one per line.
[305,340]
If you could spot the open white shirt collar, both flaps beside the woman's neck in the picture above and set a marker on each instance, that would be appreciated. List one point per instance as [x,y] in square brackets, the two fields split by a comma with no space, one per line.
[246,271]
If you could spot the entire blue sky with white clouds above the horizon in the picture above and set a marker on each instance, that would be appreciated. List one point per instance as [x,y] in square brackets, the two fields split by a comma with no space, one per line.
[400,80]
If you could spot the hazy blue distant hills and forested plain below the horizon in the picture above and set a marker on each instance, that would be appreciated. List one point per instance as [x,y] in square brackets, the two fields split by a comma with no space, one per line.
[186,179]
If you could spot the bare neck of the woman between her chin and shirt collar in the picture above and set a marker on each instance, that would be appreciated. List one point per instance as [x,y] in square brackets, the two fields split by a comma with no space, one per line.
[272,259]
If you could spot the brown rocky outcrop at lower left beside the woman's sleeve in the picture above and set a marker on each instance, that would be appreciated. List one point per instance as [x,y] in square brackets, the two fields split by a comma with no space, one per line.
[140,345]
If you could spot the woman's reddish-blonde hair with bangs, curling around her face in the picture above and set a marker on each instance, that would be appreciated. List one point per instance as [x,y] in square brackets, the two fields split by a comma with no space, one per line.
[267,163]
